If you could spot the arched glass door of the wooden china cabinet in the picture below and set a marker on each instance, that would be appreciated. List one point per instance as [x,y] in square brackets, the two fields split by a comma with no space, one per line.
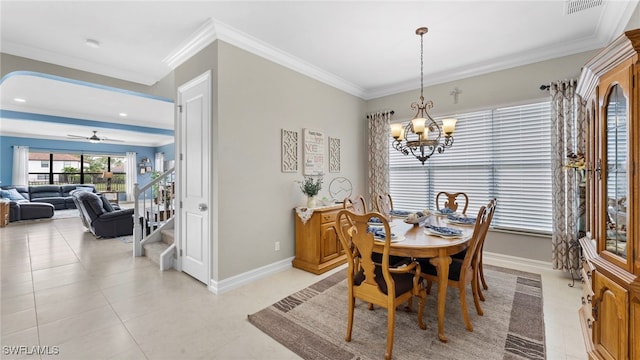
[616,187]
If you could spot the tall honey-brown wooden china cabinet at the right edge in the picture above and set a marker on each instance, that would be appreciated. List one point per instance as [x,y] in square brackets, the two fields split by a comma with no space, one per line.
[610,314]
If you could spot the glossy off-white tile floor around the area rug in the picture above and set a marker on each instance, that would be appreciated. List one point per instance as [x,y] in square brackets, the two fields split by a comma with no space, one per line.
[90,299]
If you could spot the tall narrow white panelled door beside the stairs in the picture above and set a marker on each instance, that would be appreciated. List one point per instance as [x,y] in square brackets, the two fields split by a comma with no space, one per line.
[194,99]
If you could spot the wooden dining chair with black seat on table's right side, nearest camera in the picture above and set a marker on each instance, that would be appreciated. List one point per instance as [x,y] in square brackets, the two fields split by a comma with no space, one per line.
[463,272]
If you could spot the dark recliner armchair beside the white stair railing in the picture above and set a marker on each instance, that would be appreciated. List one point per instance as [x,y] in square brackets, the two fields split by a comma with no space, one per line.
[99,216]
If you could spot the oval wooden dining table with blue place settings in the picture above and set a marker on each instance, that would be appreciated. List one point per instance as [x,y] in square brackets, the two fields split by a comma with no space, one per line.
[414,241]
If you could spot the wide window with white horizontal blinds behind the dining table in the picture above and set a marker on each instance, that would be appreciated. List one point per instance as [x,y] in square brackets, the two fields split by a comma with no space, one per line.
[502,153]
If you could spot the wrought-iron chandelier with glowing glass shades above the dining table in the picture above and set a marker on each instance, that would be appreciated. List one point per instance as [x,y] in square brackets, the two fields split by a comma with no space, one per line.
[423,136]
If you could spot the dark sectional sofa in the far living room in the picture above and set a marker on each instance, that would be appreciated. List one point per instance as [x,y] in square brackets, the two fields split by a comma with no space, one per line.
[39,201]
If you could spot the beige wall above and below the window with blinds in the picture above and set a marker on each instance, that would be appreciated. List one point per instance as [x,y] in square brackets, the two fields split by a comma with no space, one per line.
[506,87]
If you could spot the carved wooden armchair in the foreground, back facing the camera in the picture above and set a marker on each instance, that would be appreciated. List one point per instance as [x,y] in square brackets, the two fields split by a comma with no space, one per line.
[374,282]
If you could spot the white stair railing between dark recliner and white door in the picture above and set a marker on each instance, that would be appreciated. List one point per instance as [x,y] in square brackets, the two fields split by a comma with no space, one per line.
[153,208]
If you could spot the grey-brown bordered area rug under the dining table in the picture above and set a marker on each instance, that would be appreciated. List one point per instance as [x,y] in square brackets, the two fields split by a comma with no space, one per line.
[312,323]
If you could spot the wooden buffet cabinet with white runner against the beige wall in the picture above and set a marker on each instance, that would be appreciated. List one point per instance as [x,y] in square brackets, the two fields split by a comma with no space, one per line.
[318,248]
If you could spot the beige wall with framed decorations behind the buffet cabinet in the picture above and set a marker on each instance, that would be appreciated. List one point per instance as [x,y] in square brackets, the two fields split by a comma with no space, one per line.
[255,99]
